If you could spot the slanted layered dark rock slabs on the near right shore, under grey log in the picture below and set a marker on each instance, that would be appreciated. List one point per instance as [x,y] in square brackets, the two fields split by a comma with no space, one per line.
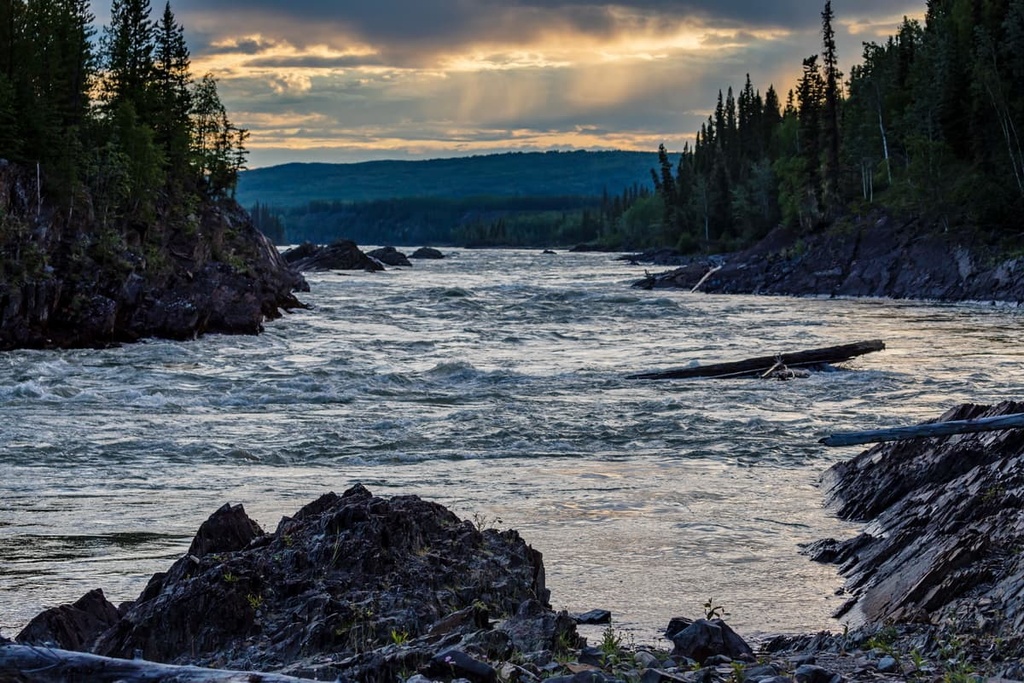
[947,517]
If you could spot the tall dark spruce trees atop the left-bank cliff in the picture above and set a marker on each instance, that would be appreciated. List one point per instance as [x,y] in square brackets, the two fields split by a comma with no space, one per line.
[119,132]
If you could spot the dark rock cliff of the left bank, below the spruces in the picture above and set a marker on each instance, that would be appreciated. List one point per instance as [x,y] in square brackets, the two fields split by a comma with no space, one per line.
[66,282]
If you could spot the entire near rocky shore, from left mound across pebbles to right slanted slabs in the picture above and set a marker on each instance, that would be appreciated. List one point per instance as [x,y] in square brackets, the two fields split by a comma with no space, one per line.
[360,588]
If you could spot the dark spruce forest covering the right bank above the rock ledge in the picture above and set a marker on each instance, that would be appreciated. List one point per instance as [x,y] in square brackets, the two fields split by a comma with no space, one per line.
[926,125]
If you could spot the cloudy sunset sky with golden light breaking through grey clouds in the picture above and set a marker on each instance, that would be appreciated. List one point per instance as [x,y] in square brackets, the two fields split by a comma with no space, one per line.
[357,80]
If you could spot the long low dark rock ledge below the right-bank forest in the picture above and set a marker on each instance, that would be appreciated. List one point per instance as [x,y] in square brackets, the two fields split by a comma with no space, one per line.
[876,258]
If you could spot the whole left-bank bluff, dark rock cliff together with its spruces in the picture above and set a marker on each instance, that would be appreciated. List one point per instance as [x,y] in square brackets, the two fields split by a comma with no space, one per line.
[116,220]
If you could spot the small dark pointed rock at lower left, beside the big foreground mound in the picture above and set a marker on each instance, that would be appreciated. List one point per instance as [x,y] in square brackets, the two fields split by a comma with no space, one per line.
[73,627]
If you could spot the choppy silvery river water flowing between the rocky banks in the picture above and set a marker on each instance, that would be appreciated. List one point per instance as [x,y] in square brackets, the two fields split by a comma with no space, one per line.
[492,382]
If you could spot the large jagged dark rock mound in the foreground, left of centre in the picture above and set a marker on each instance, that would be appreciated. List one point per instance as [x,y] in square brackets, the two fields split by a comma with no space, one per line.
[354,586]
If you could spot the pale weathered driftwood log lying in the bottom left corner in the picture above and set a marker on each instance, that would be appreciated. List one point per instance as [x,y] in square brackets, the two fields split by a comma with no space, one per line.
[45,665]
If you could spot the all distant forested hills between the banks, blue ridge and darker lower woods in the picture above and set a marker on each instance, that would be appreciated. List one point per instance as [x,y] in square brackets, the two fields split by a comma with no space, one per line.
[535,199]
